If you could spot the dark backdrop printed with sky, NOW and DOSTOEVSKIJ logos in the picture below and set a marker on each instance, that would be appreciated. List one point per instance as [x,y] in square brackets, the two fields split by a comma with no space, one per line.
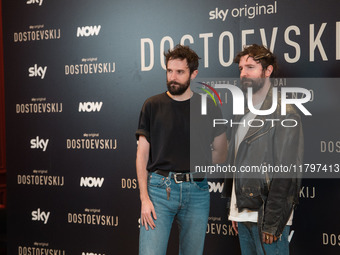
[76,76]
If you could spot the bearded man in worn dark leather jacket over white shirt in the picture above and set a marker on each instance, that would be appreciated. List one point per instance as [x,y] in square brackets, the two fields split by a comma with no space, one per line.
[262,203]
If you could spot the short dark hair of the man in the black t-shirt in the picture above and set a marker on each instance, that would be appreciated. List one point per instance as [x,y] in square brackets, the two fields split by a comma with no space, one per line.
[183,52]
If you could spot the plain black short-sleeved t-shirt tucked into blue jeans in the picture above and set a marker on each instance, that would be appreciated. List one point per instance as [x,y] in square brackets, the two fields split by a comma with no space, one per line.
[169,128]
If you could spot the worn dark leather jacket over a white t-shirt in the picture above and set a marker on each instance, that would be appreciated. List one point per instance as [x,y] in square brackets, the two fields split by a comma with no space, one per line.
[273,195]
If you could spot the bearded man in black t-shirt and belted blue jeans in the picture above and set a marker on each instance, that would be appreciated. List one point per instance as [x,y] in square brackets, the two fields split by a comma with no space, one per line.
[168,189]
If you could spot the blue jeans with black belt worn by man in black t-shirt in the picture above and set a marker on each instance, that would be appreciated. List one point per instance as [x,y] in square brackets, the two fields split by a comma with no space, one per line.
[189,204]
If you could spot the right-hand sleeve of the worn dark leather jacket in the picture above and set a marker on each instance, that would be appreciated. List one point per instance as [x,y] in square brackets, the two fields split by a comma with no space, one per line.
[284,186]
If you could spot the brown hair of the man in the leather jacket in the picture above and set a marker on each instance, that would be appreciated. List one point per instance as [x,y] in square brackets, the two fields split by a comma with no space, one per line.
[261,55]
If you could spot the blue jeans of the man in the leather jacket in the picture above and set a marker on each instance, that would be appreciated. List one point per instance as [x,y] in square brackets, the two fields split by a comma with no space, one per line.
[250,241]
